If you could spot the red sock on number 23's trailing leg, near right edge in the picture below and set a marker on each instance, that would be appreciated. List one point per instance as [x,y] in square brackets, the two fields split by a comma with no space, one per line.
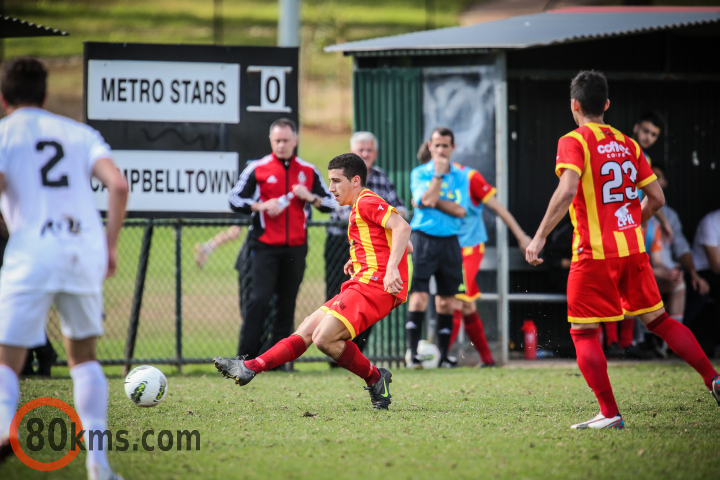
[681,341]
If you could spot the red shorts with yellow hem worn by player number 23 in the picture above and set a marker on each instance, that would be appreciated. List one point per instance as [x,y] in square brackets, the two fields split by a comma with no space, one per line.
[606,290]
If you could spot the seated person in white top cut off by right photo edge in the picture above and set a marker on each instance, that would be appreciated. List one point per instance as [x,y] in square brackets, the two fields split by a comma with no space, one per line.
[702,316]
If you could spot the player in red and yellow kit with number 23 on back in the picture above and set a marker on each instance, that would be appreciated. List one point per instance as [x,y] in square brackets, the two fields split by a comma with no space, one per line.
[600,172]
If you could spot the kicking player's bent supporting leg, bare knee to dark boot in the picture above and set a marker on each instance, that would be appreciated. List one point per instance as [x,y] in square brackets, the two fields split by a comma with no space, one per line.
[333,339]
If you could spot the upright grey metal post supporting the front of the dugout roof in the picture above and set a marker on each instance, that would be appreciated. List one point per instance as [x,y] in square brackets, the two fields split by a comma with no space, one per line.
[501,180]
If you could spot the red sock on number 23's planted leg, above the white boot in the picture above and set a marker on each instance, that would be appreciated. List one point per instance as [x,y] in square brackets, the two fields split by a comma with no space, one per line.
[593,366]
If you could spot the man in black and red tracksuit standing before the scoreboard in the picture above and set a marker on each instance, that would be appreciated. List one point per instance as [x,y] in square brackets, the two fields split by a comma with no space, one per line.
[276,189]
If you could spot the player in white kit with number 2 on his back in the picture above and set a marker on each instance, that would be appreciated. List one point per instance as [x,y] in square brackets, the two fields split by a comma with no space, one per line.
[58,250]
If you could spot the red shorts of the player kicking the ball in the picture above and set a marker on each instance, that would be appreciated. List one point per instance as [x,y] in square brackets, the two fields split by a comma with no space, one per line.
[359,306]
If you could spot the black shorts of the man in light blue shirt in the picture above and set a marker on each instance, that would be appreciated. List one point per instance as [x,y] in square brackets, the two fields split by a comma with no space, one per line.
[438,256]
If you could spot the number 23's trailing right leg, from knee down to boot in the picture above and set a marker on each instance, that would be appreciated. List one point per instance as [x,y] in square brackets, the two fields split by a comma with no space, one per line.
[681,341]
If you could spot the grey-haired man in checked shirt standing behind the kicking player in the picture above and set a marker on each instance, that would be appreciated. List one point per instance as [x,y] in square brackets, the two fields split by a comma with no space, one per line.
[337,247]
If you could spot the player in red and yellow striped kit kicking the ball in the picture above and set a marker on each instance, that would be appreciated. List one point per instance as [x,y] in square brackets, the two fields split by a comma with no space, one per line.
[379,244]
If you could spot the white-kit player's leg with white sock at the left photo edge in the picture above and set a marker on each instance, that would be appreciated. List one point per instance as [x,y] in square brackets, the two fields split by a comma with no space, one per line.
[12,360]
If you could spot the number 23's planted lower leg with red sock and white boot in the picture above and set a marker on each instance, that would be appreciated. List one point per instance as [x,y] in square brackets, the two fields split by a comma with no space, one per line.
[593,366]
